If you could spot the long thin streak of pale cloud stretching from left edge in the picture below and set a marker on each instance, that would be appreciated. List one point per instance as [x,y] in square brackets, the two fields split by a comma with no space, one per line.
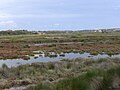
[50,15]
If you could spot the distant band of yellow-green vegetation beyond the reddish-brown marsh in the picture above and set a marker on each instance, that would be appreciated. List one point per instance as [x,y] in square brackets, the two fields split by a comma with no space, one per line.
[26,36]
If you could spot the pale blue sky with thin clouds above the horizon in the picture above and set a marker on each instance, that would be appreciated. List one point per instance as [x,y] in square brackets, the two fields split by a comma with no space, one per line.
[59,14]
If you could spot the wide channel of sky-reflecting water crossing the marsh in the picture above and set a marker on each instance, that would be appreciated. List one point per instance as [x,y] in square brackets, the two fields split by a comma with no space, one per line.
[42,58]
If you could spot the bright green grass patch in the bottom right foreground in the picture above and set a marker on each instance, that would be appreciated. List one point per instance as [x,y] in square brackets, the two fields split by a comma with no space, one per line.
[84,81]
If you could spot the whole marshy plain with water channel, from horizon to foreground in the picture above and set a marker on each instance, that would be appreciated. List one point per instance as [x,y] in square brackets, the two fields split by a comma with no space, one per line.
[60,61]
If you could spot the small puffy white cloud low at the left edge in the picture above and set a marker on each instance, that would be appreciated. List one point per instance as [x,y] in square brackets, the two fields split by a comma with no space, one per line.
[8,24]
